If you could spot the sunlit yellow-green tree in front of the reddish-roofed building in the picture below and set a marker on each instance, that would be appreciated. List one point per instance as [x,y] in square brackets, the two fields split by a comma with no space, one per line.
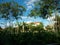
[38,28]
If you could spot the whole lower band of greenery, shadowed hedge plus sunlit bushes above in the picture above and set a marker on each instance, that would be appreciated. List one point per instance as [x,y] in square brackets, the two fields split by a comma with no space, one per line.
[28,37]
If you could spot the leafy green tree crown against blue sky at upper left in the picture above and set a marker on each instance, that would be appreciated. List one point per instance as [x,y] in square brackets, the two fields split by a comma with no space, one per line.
[12,9]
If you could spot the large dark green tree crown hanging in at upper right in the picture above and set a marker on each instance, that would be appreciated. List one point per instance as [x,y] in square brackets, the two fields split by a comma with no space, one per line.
[44,8]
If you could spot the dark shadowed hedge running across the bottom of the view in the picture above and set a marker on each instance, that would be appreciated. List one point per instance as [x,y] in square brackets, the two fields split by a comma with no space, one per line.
[28,38]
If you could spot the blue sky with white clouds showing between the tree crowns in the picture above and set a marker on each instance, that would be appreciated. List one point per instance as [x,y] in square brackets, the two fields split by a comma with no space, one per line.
[29,5]
